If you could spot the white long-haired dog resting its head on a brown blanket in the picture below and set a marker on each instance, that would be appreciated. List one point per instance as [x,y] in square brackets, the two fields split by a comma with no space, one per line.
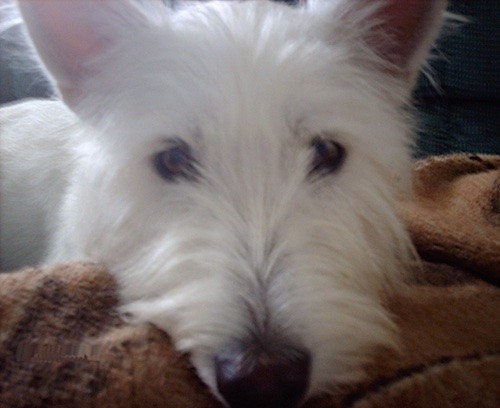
[235,165]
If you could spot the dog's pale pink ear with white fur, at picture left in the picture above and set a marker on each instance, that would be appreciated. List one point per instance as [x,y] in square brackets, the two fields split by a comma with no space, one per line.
[71,35]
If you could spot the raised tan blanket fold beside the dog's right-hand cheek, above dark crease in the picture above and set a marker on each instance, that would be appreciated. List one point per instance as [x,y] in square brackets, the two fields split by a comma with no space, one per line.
[455,214]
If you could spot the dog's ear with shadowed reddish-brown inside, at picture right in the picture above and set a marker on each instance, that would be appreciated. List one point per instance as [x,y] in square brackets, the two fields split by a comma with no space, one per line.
[401,32]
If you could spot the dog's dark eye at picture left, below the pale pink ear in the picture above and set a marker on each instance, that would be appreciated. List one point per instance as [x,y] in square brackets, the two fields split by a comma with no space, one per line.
[175,162]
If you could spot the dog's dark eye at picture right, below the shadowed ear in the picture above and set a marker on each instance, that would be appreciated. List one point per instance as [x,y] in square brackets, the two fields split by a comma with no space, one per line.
[328,156]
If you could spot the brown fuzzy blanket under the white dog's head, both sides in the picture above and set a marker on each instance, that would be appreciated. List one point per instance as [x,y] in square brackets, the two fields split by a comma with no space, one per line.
[63,344]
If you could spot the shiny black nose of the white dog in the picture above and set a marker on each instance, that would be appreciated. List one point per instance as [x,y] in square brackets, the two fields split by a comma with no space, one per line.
[251,378]
